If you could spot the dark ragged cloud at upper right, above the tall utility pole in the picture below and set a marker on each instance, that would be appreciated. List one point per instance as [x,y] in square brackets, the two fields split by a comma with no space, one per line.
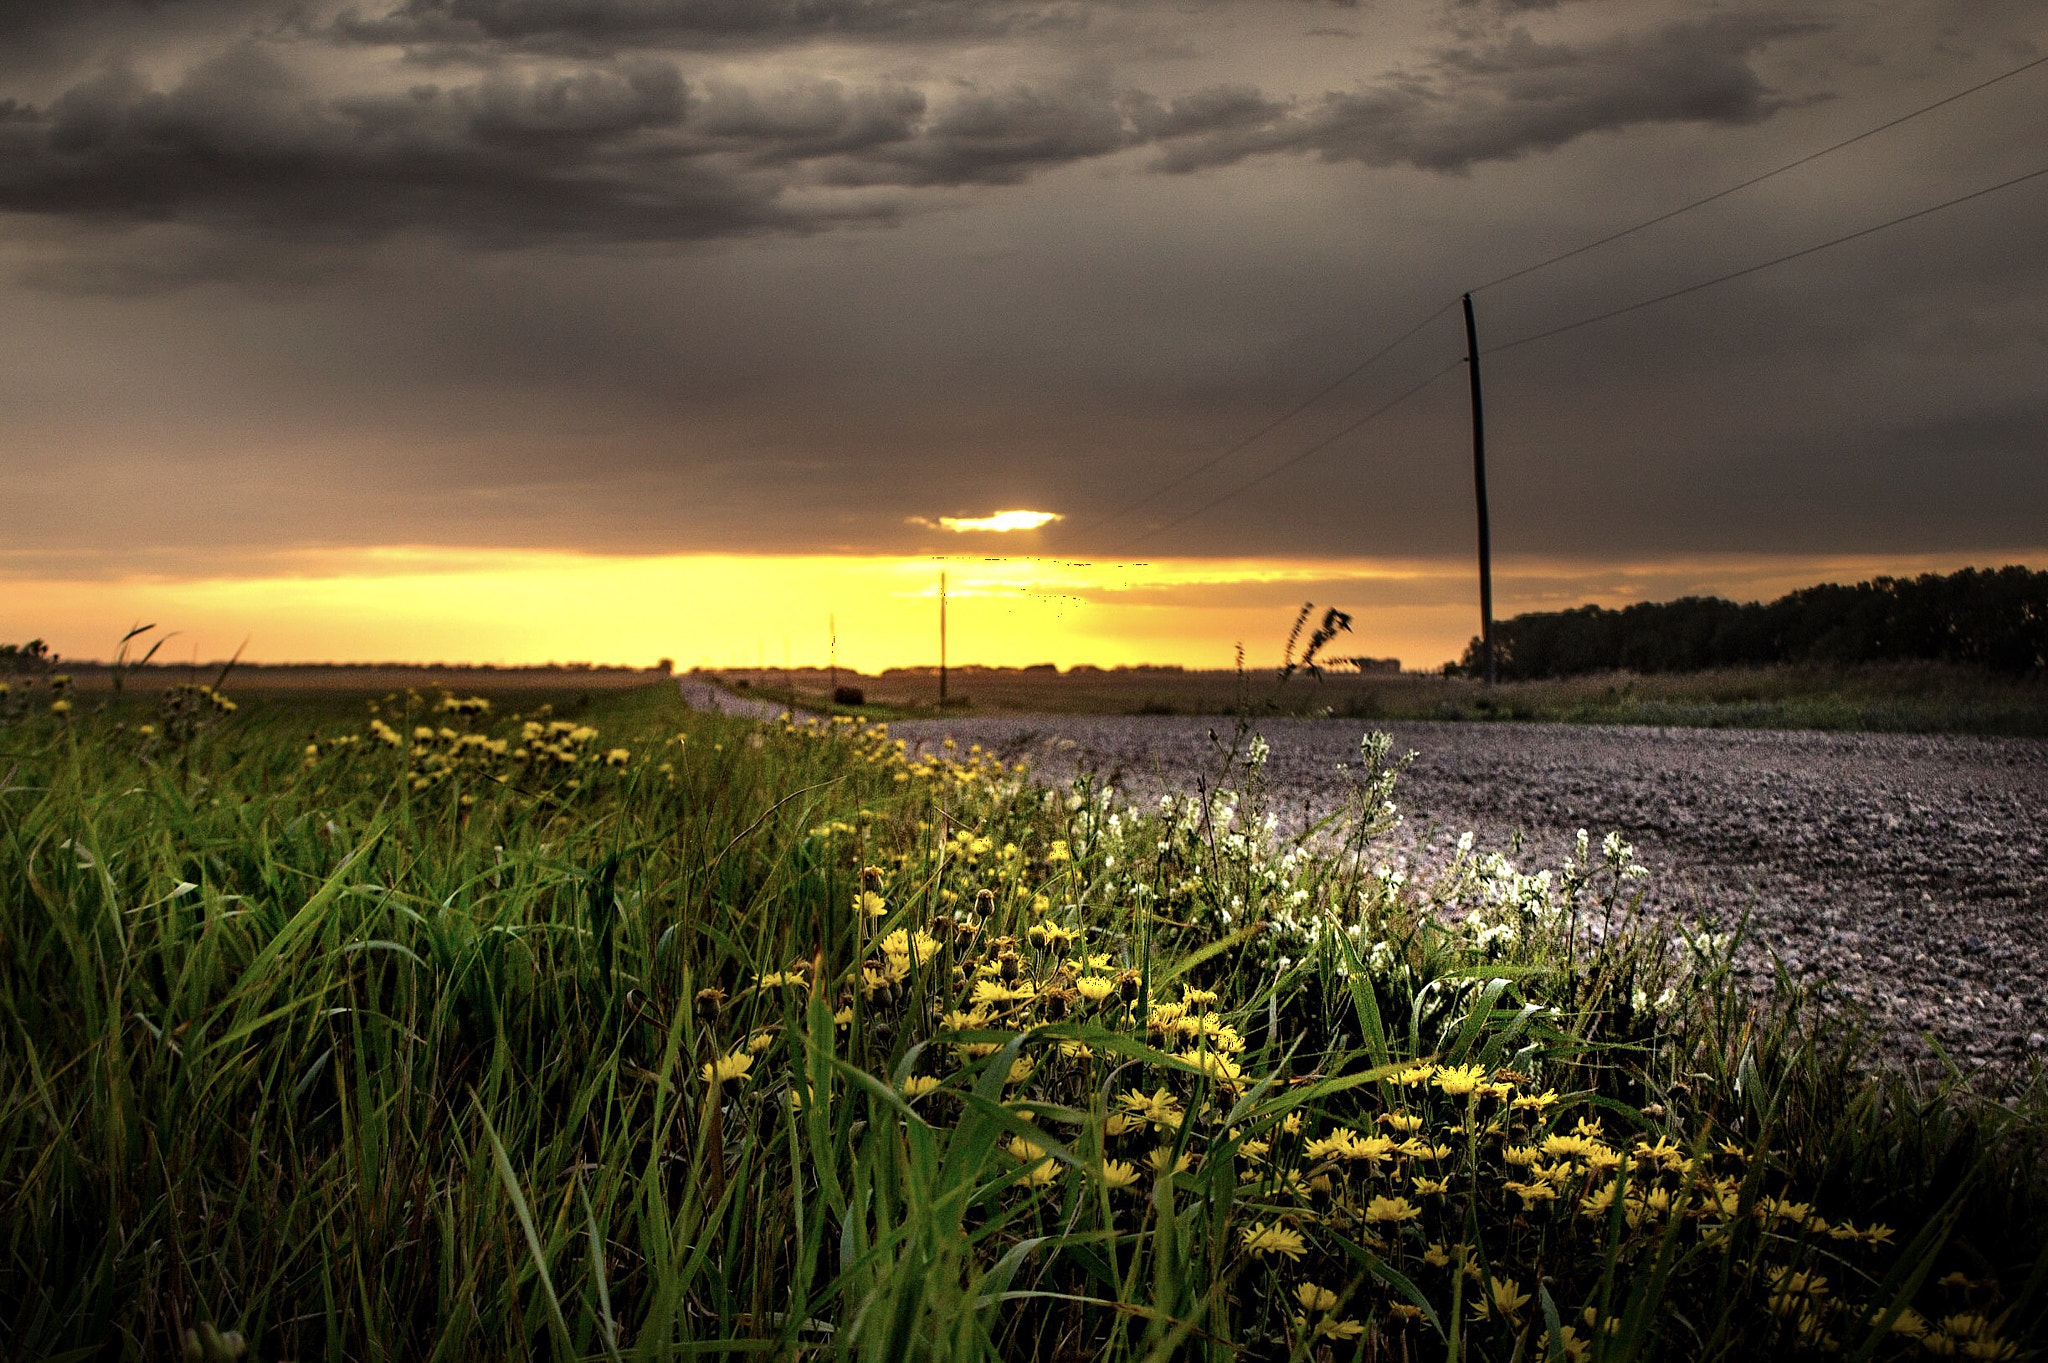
[1506,99]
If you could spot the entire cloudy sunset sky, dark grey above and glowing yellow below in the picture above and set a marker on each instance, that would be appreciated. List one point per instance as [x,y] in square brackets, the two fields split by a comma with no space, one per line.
[523,331]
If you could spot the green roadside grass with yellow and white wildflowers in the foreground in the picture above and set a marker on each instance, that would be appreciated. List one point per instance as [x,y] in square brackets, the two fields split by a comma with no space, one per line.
[581,1026]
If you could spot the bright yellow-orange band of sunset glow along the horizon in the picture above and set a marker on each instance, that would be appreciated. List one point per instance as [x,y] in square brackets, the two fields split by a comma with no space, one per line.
[744,611]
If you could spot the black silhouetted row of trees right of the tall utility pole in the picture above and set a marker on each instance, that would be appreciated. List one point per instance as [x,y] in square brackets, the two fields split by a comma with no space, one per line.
[1992,619]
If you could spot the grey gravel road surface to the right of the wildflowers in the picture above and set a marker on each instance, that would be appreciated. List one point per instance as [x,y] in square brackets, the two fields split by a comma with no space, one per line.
[1902,873]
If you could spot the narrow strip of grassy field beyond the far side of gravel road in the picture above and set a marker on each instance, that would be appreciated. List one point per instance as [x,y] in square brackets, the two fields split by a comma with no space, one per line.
[1906,697]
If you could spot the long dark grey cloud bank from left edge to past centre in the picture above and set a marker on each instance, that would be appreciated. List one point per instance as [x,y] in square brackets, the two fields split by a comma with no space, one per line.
[607,152]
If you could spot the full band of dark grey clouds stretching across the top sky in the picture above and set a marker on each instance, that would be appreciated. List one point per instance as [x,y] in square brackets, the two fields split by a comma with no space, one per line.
[628,148]
